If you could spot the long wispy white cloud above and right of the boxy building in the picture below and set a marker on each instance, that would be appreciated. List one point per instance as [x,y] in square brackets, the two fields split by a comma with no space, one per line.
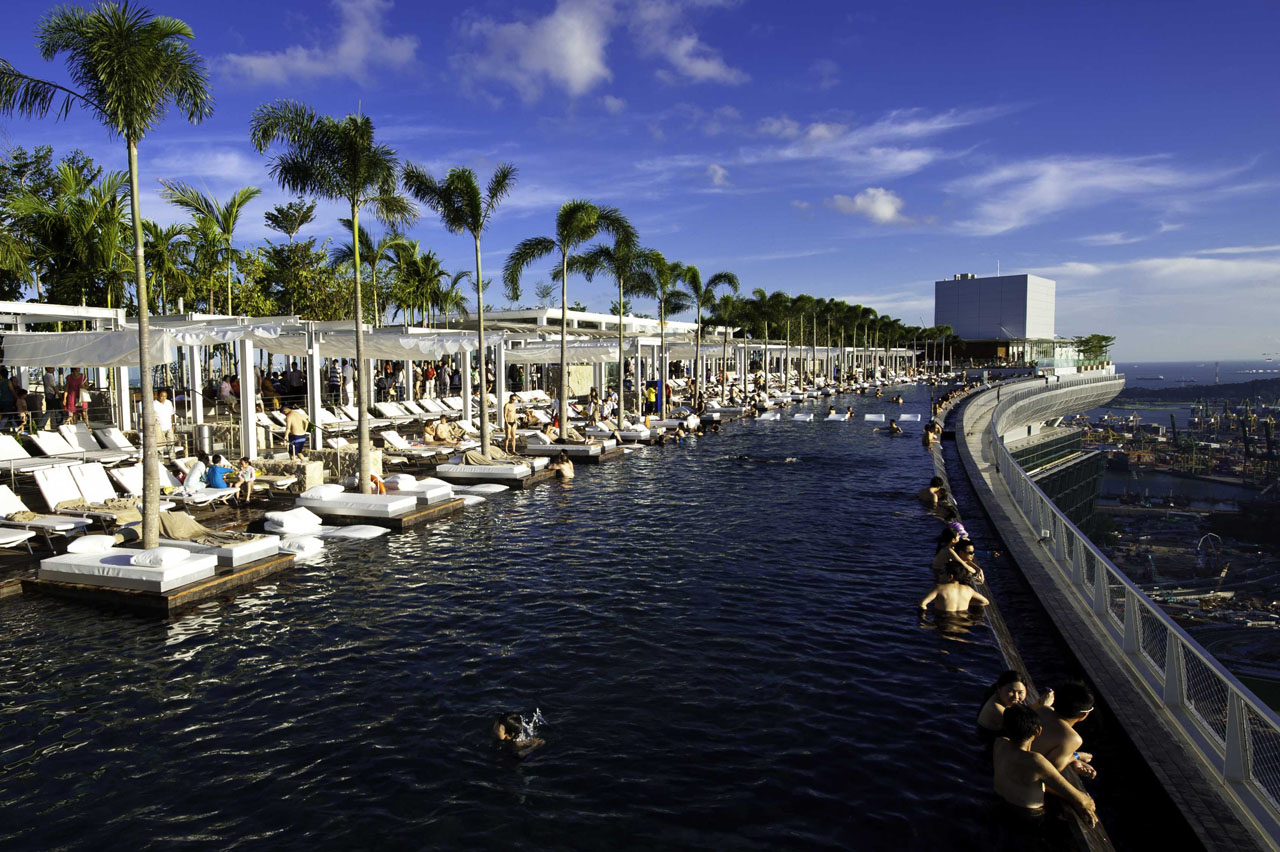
[1022,194]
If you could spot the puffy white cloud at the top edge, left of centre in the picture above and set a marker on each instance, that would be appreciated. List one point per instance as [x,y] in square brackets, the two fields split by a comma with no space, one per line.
[565,49]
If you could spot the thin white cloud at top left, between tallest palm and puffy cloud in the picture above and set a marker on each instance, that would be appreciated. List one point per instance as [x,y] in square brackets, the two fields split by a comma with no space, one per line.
[362,45]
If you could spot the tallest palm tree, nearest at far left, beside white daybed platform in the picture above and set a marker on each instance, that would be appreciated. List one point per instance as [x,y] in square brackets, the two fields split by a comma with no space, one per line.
[130,67]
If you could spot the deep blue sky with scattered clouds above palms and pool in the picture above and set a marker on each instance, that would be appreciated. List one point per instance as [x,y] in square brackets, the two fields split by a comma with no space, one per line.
[1127,150]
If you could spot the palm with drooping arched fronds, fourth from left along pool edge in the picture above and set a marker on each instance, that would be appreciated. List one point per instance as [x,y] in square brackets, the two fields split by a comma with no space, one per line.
[578,223]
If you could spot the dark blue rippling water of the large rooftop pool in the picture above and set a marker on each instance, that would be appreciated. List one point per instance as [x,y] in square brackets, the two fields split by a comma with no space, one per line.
[725,647]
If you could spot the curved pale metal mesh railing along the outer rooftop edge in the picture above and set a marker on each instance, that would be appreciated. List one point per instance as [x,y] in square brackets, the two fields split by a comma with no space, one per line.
[1236,734]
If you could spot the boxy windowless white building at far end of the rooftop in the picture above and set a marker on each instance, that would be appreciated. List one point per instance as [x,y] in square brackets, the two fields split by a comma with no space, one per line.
[1005,308]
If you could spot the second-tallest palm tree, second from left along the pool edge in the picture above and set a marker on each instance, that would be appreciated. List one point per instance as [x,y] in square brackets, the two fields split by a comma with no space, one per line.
[337,159]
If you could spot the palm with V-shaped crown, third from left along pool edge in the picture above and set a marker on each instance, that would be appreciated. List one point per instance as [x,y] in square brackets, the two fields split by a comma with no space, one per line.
[463,208]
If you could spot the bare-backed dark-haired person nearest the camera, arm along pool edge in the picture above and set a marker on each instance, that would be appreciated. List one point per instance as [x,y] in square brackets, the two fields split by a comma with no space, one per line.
[1022,776]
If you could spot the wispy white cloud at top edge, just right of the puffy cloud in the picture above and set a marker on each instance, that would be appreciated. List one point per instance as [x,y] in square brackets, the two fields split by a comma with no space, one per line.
[661,30]
